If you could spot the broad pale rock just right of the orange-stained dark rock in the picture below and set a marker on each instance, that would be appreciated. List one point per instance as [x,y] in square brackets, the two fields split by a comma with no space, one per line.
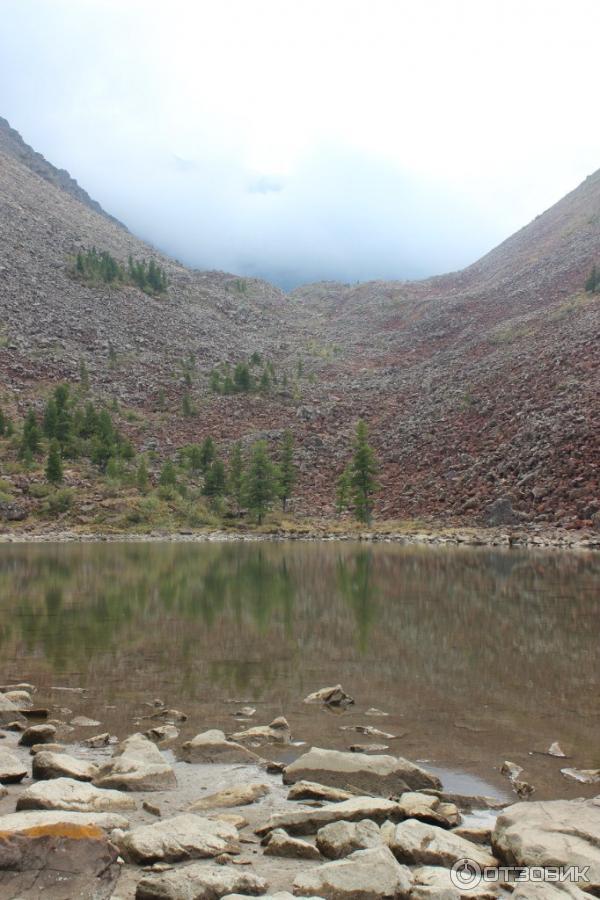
[183,837]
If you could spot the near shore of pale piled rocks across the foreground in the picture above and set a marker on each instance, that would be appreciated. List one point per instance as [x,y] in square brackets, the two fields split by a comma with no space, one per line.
[255,813]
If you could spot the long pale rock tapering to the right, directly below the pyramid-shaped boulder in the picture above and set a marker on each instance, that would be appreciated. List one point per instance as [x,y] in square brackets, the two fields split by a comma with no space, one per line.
[77,796]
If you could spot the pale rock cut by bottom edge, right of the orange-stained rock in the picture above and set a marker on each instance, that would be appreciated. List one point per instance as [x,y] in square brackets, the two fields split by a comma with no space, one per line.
[199,882]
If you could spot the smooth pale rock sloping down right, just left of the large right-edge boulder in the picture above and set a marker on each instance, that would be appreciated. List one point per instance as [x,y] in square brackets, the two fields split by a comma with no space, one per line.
[416,843]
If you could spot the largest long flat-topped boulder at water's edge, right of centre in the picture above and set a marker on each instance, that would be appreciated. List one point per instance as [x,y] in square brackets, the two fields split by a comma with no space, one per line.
[382,775]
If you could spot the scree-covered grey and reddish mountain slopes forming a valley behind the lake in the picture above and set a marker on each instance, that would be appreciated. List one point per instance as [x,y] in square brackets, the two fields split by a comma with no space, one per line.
[479,386]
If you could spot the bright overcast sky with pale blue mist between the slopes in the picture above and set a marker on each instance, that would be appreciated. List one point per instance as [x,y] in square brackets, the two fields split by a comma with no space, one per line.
[302,140]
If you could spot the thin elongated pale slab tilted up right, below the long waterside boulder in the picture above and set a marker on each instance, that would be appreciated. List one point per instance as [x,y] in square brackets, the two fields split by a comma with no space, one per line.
[308,821]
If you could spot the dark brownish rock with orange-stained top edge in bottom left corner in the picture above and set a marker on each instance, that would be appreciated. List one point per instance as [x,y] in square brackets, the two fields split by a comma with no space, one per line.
[58,860]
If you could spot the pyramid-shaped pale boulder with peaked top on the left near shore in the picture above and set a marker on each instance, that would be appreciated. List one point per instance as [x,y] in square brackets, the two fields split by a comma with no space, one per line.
[137,765]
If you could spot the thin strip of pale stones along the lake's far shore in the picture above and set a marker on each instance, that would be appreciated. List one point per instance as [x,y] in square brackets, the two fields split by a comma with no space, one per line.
[558,539]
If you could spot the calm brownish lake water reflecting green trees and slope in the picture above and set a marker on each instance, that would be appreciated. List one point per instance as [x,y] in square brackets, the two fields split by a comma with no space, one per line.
[477,655]
